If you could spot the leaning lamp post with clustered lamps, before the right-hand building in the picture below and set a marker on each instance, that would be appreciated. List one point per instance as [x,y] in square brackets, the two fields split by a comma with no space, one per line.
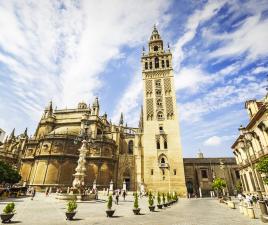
[245,144]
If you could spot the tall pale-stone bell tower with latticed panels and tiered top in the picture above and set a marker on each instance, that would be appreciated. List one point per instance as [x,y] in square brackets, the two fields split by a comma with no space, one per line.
[162,154]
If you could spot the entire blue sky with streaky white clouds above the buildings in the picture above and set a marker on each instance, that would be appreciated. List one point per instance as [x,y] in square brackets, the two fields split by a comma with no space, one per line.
[71,51]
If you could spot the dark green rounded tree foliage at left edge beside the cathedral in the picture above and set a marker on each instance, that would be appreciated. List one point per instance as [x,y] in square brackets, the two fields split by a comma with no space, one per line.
[8,174]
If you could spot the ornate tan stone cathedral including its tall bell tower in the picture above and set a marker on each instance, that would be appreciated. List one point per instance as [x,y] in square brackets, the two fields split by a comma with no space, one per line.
[149,155]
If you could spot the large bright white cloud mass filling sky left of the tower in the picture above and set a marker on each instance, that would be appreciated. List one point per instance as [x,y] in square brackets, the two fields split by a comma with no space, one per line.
[58,50]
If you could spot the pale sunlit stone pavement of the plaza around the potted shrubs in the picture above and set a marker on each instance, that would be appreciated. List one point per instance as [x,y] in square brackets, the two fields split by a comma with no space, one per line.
[47,210]
